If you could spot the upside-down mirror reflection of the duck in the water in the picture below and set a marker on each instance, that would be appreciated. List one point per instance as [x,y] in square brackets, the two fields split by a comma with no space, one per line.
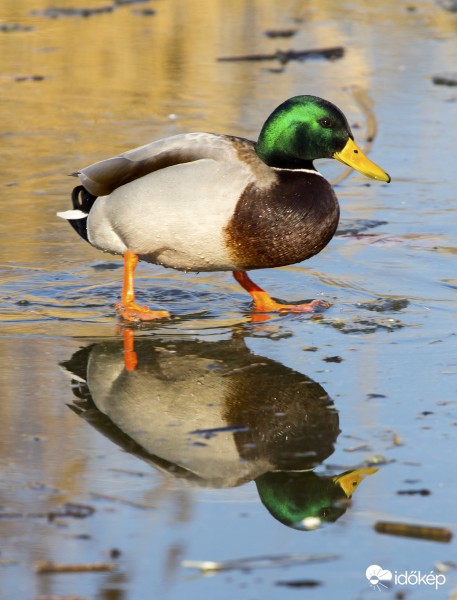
[218,416]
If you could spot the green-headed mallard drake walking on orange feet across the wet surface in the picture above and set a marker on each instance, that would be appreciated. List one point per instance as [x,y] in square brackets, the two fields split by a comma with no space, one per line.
[208,202]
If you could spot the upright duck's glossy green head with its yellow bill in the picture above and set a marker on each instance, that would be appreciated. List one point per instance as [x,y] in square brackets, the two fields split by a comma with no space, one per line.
[305,128]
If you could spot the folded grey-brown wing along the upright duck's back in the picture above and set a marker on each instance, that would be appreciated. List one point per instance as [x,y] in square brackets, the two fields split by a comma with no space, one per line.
[103,177]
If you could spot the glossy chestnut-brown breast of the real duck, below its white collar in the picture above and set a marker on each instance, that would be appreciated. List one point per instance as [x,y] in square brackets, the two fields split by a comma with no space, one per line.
[292,220]
